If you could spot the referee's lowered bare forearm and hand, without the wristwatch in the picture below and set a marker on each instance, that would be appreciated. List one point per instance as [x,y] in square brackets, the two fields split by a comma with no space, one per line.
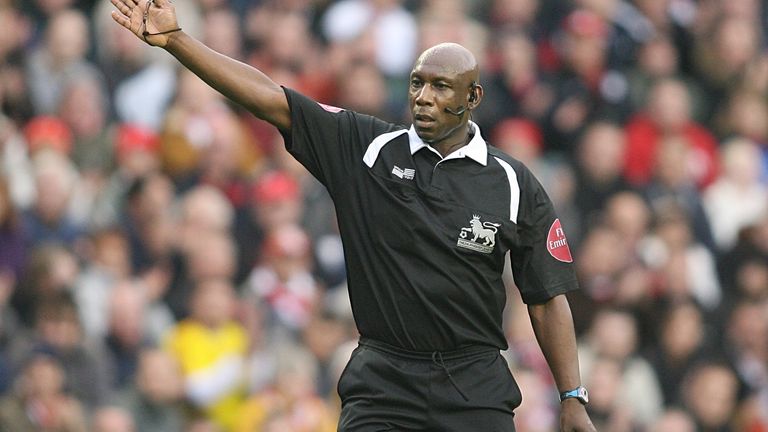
[553,324]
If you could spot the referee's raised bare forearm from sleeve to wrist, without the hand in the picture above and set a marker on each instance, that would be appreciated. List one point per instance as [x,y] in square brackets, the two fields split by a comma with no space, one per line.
[238,81]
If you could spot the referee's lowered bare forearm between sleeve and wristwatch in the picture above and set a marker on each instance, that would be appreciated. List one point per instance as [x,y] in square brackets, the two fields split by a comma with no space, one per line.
[553,325]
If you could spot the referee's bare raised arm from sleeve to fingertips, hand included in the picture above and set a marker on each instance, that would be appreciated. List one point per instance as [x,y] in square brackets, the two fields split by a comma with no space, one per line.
[155,22]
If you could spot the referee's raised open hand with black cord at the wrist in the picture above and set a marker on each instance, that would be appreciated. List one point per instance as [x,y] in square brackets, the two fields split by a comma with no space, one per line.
[153,21]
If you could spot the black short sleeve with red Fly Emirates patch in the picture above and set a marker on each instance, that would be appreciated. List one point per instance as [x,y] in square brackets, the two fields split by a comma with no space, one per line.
[541,260]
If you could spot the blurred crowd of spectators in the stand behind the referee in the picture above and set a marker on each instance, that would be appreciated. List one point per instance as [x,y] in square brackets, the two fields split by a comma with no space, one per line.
[166,266]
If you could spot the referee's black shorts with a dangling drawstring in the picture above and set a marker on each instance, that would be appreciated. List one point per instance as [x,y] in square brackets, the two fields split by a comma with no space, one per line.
[384,388]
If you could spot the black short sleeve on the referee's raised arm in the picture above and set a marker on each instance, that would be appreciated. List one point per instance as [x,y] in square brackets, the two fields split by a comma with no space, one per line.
[329,141]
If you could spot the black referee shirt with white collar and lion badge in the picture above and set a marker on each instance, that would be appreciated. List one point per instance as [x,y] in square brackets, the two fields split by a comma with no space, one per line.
[425,237]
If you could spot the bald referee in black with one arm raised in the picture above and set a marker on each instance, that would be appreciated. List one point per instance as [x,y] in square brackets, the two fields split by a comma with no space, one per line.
[427,215]
